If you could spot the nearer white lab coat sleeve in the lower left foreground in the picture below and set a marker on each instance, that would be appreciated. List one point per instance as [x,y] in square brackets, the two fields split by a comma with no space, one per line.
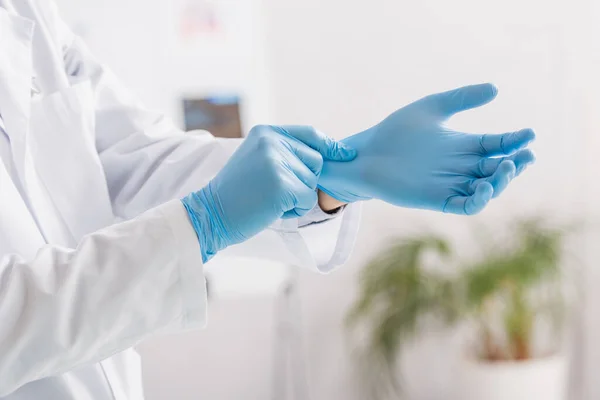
[68,307]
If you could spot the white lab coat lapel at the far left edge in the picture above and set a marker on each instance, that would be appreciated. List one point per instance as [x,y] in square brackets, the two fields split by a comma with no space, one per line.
[16,72]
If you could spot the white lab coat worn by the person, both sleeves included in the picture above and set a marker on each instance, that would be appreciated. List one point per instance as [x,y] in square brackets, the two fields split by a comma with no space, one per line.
[78,290]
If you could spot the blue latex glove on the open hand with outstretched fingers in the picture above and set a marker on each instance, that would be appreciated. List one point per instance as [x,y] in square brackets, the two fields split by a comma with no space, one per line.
[411,159]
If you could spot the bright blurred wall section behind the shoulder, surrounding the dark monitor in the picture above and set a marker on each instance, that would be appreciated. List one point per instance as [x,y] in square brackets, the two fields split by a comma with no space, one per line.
[139,41]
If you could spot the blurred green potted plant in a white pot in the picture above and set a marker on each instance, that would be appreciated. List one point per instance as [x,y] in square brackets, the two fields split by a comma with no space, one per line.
[511,300]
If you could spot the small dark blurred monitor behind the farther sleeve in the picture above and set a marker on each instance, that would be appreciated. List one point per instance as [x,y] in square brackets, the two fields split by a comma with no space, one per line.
[220,115]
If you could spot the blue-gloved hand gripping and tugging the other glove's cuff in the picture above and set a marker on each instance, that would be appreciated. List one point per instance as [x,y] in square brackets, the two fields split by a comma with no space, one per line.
[272,175]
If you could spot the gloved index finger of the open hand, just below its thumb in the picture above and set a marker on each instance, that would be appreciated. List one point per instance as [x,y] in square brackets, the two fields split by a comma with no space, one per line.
[502,144]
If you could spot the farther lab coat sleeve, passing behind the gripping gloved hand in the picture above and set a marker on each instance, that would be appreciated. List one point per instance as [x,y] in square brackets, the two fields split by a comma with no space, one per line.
[148,161]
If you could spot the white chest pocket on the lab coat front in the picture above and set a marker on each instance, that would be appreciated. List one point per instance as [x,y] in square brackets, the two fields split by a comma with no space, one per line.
[63,148]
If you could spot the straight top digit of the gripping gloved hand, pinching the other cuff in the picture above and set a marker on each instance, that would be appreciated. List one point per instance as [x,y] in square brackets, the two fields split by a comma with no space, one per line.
[329,148]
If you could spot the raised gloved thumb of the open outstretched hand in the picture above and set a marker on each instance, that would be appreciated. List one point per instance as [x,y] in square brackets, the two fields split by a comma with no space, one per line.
[461,99]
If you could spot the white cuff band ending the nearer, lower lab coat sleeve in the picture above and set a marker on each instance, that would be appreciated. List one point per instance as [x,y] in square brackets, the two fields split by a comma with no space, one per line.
[191,269]
